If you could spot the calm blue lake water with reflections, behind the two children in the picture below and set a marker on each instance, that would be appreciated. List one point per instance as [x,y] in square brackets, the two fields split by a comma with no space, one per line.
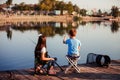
[18,41]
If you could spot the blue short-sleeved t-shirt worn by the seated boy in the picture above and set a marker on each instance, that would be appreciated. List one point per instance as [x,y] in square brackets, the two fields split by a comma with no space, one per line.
[73,46]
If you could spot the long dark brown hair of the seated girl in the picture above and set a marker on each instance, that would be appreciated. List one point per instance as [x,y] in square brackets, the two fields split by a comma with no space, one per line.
[41,43]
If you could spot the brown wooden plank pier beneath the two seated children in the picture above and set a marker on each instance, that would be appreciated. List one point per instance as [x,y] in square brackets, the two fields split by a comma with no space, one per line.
[88,72]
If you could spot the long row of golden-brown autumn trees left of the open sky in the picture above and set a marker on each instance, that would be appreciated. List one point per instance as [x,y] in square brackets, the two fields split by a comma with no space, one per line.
[46,5]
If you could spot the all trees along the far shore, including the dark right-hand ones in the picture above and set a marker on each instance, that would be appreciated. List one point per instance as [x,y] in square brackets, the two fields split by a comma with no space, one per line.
[50,5]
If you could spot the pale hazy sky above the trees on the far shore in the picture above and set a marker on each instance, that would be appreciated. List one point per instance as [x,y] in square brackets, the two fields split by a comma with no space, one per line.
[104,5]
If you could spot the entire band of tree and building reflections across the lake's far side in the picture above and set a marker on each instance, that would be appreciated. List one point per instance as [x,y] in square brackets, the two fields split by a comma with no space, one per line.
[50,29]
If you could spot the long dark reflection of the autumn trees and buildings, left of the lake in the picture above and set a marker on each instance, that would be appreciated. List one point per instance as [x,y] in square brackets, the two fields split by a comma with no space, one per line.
[47,28]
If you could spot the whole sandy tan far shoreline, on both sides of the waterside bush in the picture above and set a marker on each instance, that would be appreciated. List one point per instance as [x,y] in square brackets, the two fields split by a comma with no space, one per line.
[54,18]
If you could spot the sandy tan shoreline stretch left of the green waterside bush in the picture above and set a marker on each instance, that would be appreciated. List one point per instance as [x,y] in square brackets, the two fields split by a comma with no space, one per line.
[41,18]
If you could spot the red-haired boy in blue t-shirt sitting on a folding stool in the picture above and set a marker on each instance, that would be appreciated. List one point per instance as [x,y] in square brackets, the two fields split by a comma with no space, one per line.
[73,47]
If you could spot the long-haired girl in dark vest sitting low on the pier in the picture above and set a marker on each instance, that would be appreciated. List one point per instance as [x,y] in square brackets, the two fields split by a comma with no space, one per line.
[41,57]
